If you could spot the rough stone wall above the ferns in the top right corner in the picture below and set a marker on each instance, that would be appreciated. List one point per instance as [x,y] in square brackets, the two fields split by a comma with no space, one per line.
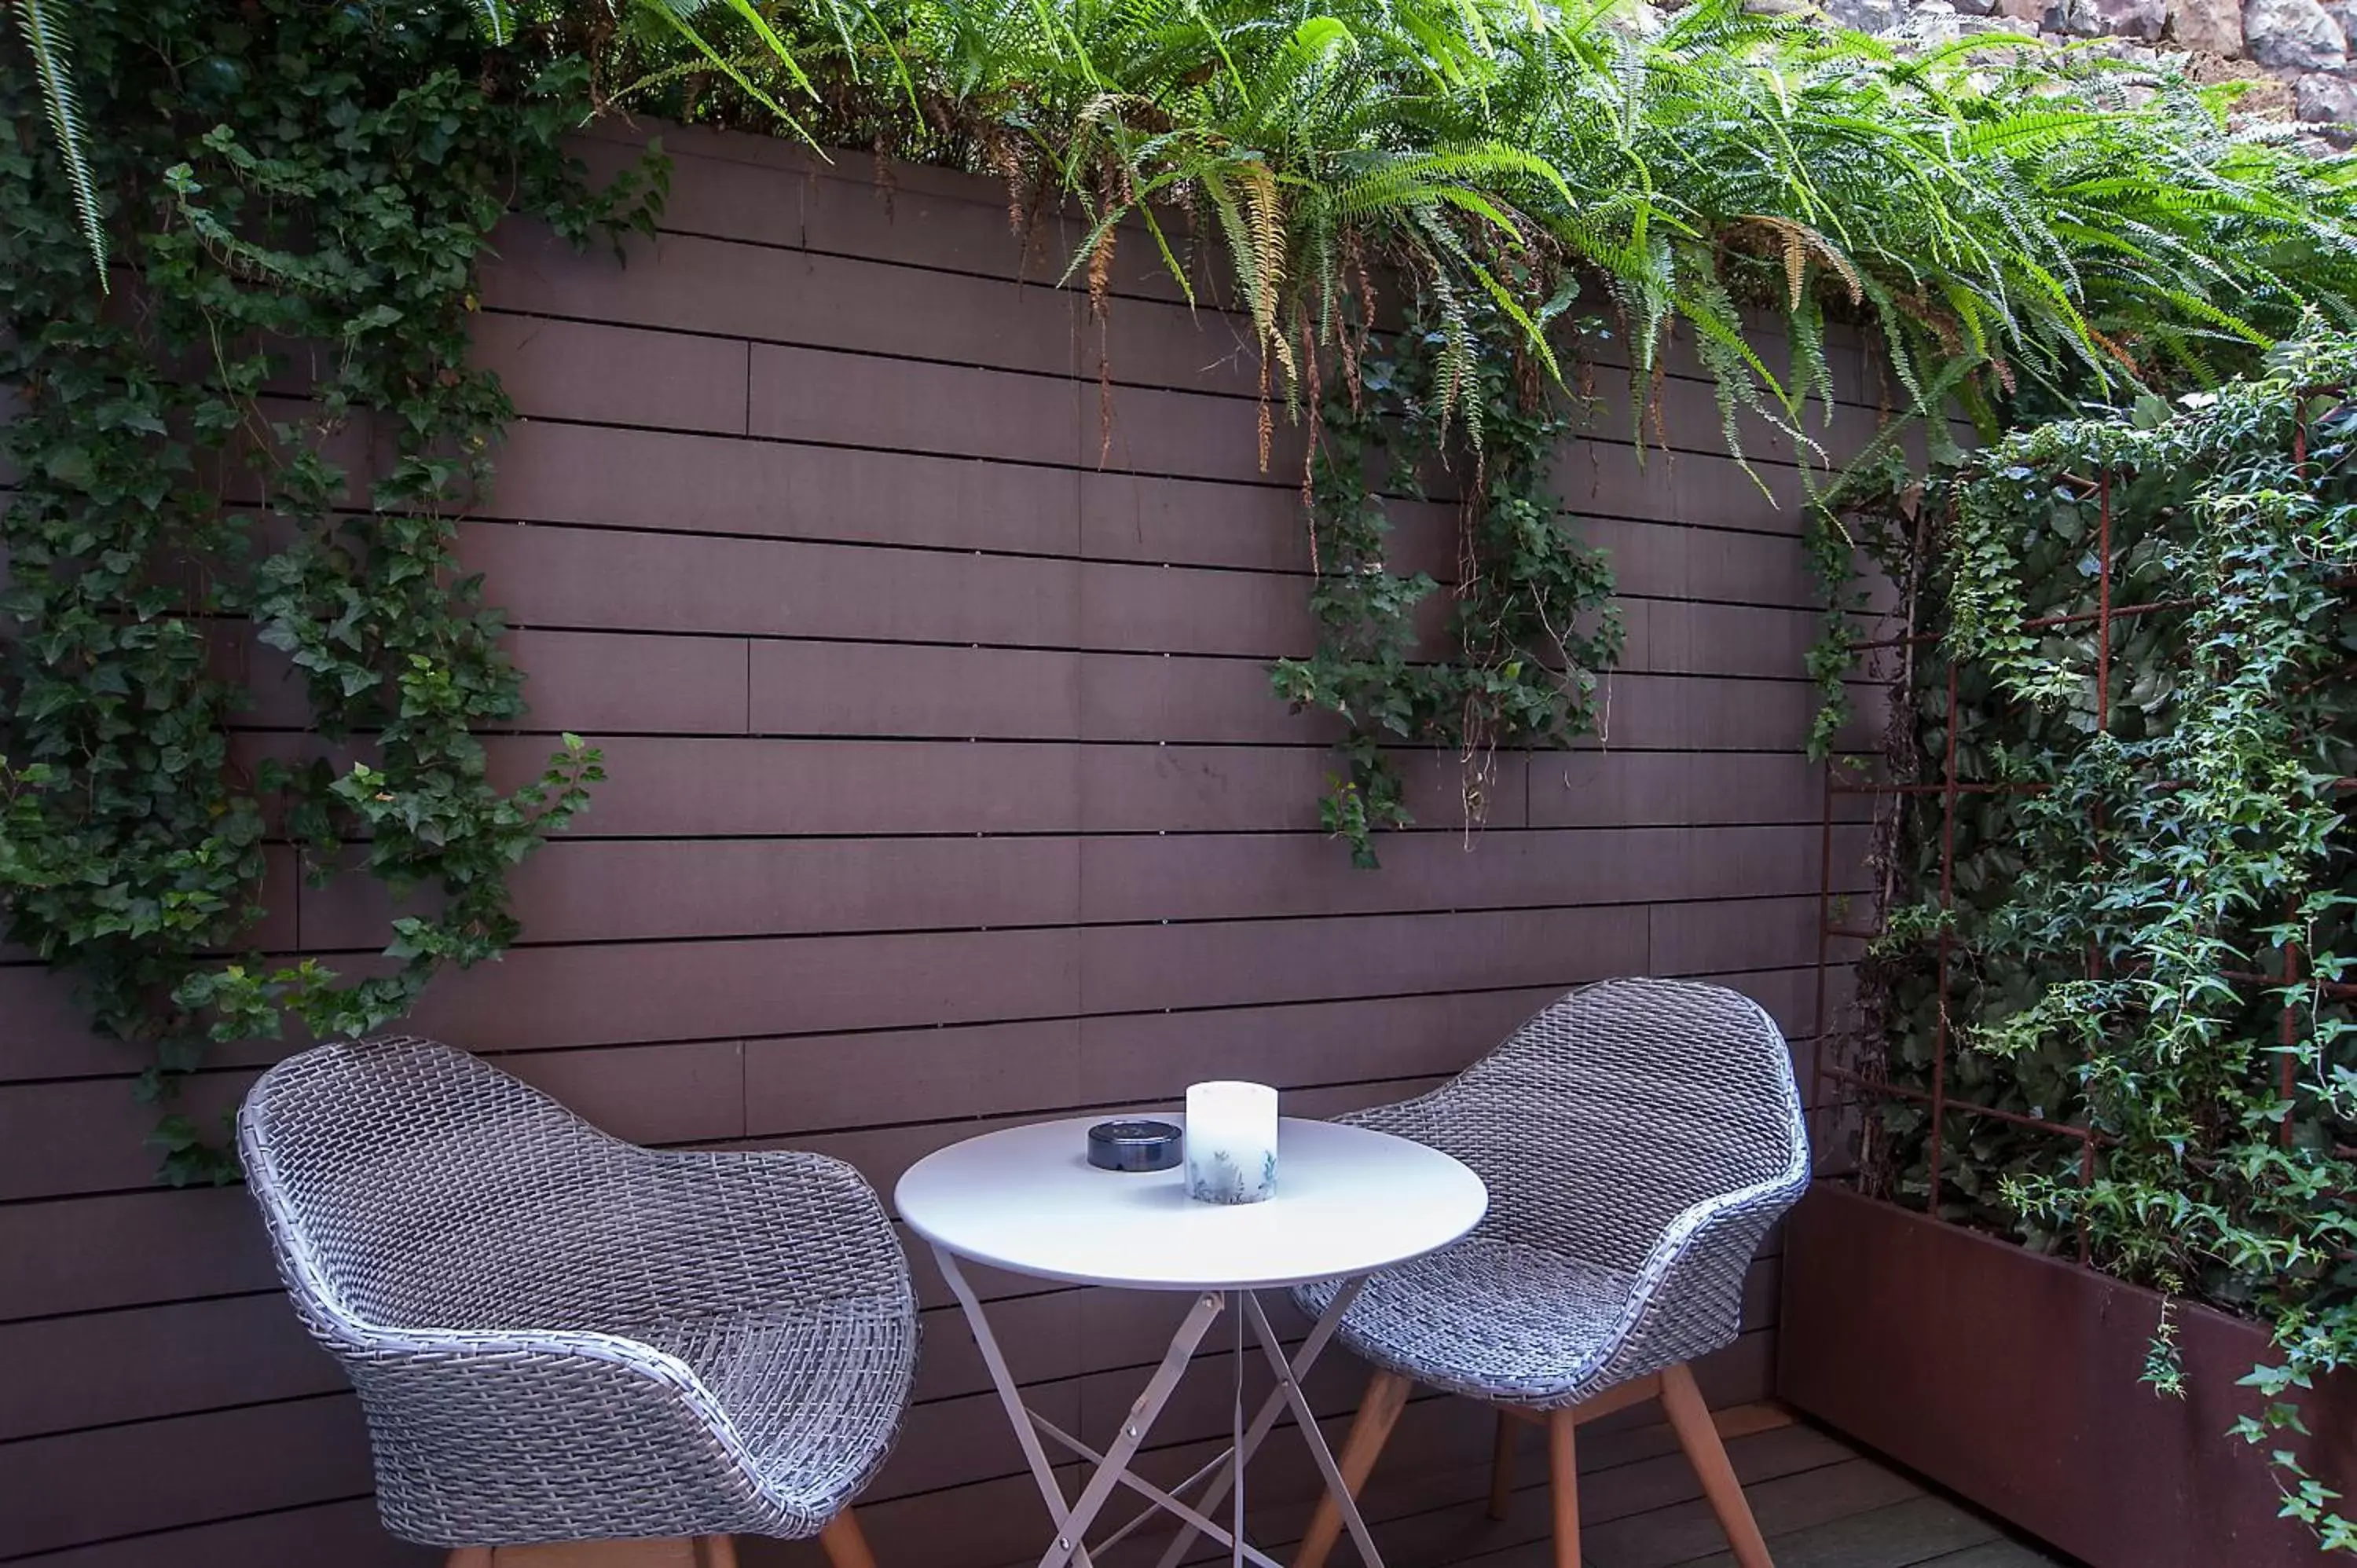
[2299,51]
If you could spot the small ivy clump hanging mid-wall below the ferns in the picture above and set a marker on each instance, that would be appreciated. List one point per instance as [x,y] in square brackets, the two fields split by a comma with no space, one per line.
[1533,617]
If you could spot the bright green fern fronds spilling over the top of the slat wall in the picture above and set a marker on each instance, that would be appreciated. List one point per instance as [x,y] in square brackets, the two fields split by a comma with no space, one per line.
[2002,213]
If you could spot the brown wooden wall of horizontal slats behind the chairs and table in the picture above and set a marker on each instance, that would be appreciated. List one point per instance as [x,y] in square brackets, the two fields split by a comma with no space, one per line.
[946,791]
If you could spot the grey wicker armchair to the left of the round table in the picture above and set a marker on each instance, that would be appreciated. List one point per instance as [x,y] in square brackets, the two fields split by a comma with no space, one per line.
[560,1336]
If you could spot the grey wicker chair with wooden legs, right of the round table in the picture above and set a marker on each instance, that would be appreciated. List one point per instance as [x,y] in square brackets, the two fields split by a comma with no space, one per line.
[1637,1138]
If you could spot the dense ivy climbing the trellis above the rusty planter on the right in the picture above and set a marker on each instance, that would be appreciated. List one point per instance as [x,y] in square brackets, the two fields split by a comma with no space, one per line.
[2153,918]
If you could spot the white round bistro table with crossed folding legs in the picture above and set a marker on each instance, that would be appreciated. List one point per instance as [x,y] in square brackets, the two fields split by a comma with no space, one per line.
[1349,1201]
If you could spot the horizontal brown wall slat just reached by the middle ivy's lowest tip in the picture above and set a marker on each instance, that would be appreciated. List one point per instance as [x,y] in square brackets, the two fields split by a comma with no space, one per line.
[779,888]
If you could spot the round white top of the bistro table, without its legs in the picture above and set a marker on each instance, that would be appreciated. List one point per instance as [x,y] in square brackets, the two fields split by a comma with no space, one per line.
[1349,1201]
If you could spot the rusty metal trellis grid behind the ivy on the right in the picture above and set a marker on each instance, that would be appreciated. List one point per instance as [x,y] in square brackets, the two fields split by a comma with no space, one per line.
[1870,1088]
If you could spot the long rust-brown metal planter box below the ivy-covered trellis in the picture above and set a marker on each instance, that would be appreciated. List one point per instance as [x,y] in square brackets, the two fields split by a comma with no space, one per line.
[2014,1381]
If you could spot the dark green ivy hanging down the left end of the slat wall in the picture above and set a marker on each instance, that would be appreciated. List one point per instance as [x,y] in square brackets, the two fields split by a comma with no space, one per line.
[263,437]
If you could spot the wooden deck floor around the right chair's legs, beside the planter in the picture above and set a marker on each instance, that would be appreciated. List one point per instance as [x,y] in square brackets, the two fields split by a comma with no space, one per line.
[1818,1501]
